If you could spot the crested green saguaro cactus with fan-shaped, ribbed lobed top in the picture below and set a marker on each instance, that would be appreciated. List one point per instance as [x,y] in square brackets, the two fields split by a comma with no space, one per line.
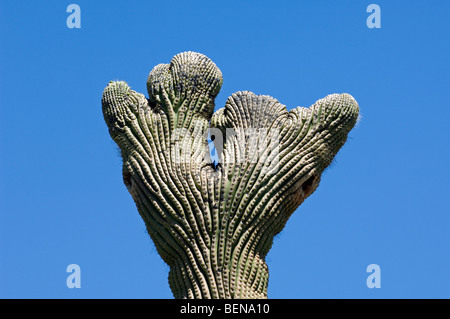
[214,224]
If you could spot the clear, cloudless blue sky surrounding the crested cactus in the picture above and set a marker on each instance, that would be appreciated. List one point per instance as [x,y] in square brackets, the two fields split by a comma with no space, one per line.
[384,201]
